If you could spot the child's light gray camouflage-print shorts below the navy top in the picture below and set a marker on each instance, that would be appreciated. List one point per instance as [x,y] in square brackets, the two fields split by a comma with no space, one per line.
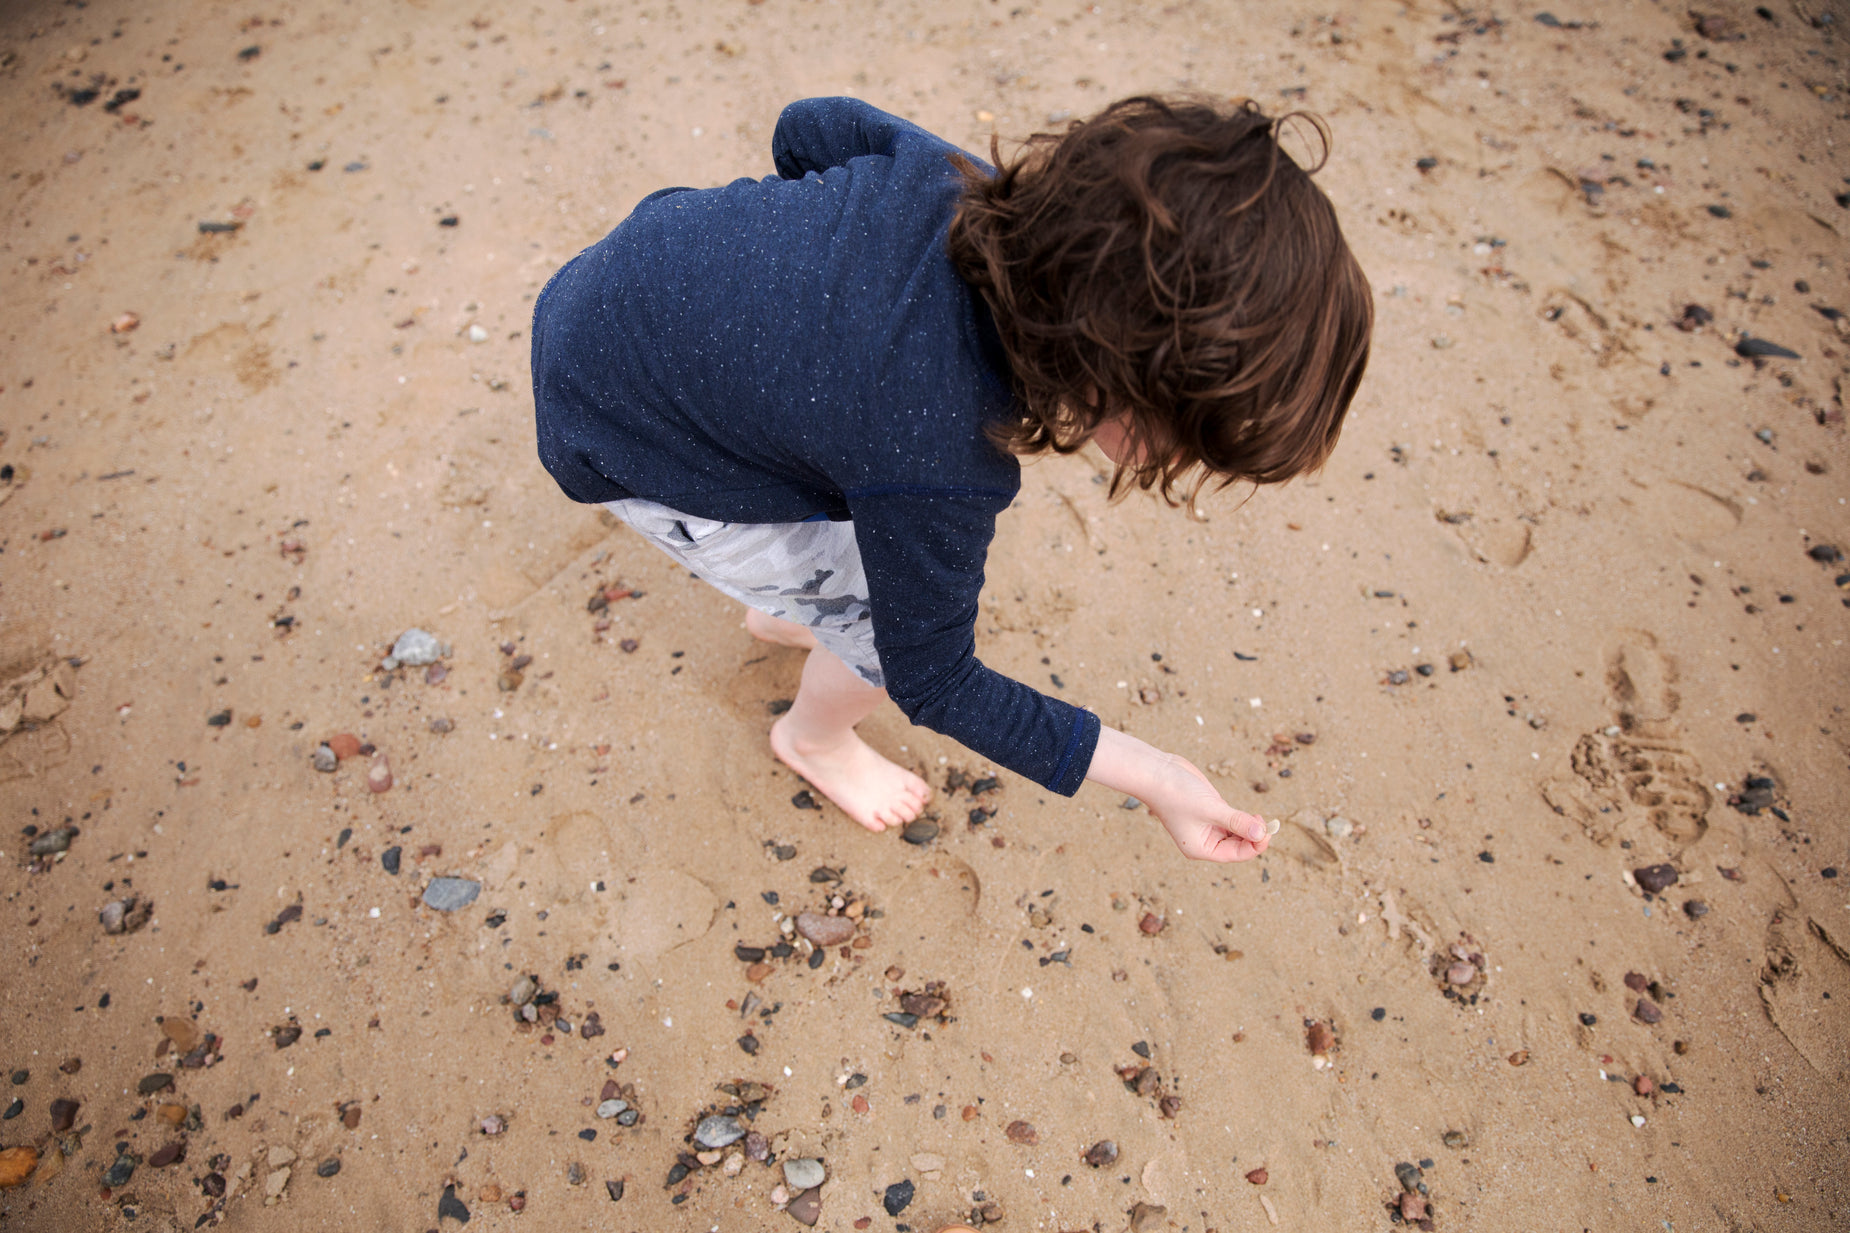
[808,573]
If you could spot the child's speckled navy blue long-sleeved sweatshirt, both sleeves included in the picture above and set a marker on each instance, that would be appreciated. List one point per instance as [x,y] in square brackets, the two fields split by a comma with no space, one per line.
[798,345]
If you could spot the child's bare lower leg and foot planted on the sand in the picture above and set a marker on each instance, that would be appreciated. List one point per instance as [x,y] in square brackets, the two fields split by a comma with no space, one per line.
[817,740]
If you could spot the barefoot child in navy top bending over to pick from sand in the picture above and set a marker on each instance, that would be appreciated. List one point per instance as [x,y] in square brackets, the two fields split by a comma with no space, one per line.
[811,392]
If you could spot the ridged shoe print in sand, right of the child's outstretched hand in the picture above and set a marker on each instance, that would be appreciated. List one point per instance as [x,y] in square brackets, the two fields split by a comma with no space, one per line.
[1638,764]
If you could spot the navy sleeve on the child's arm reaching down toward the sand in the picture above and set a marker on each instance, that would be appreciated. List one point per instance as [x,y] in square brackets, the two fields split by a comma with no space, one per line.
[924,554]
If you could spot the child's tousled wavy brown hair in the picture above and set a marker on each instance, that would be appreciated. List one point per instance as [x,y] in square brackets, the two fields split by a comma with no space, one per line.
[1168,260]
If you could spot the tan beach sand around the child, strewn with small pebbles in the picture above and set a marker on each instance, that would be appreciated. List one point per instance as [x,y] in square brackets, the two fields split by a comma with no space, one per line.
[319,436]
